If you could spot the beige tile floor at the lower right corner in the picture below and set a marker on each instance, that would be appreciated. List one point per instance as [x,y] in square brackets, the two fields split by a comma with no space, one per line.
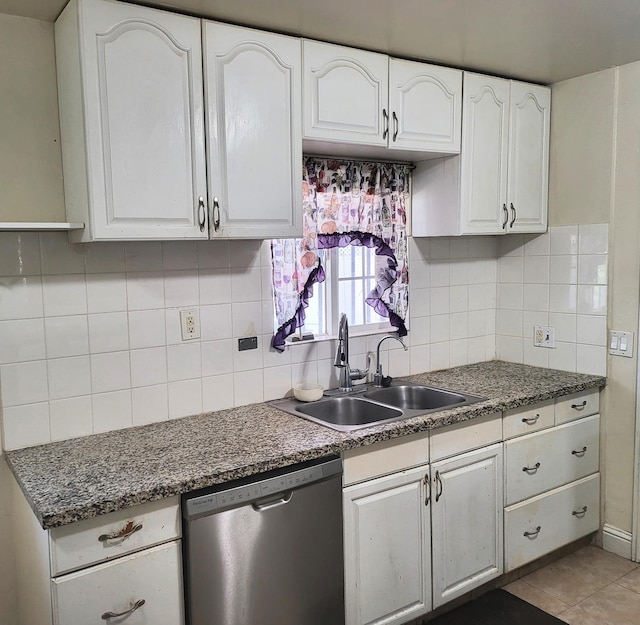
[587,587]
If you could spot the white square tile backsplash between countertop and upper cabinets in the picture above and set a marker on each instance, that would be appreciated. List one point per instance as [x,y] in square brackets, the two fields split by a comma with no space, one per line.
[90,334]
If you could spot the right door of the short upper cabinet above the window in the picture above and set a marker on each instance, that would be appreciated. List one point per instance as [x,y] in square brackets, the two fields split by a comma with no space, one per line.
[425,104]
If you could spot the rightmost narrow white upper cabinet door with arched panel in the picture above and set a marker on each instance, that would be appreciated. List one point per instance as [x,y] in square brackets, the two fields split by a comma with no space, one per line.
[528,183]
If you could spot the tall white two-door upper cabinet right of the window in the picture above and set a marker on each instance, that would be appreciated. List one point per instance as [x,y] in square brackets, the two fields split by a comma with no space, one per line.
[499,182]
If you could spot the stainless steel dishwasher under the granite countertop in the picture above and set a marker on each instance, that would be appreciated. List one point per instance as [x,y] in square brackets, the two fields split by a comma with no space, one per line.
[267,550]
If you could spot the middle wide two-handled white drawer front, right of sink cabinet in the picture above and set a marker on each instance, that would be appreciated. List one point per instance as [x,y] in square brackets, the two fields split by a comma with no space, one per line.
[545,460]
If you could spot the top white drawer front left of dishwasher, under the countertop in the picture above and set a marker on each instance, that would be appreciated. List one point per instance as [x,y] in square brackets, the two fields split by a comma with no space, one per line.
[96,540]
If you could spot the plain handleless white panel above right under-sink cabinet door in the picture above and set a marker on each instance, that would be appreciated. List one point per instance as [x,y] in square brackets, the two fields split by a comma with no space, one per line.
[466,436]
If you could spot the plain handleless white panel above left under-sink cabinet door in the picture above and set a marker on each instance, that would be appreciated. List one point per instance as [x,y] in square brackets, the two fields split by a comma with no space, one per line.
[364,463]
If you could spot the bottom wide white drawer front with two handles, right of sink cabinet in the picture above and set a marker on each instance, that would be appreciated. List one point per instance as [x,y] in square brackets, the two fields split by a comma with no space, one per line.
[539,525]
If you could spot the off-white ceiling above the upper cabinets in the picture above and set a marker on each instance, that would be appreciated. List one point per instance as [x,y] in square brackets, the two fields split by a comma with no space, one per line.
[539,40]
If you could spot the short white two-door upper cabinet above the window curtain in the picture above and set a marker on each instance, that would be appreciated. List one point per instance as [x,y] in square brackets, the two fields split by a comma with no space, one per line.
[358,98]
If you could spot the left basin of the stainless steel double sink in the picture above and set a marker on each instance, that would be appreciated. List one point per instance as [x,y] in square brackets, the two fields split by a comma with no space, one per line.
[347,412]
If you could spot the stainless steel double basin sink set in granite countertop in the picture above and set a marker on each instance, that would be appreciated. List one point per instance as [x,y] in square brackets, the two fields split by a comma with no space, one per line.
[367,406]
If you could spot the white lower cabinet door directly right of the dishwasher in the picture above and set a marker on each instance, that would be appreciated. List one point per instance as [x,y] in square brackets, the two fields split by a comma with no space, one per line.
[387,535]
